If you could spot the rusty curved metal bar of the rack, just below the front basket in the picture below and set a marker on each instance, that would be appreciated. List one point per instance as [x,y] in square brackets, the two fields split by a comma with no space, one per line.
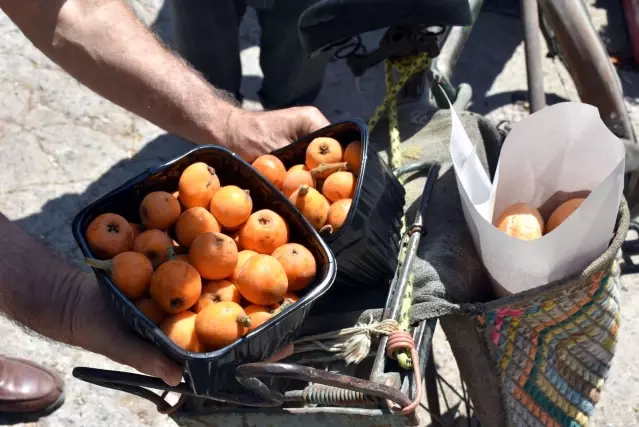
[248,374]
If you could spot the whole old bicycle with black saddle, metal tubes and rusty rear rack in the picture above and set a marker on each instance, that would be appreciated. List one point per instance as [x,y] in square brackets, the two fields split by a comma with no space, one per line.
[434,33]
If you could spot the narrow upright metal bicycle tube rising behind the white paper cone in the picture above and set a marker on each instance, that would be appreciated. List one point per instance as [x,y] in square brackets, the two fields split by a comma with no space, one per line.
[532,45]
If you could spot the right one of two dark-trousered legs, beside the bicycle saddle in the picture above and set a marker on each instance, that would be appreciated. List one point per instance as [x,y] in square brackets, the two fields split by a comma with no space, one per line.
[289,77]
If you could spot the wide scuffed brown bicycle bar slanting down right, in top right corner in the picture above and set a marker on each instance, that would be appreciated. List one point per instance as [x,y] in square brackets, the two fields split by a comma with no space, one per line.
[569,31]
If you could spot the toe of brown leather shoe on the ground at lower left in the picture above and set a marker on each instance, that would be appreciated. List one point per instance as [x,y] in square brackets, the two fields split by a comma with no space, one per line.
[27,391]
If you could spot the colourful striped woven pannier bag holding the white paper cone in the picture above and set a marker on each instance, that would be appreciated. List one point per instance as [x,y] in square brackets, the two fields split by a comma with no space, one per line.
[550,348]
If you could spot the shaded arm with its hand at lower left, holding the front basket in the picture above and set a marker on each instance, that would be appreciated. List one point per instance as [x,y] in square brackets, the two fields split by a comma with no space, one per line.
[49,296]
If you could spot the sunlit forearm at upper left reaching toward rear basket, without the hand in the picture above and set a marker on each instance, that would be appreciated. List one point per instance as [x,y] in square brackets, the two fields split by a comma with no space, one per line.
[107,48]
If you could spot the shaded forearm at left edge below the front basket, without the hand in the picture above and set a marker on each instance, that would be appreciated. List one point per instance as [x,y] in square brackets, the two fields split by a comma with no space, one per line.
[37,288]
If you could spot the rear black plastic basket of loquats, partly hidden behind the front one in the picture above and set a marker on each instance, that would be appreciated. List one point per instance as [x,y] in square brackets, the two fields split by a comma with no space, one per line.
[366,247]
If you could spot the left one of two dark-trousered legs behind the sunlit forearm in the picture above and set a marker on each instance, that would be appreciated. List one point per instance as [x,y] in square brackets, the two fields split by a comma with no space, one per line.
[206,34]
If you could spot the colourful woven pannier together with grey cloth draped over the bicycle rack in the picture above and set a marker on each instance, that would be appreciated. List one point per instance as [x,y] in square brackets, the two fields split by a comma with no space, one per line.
[535,358]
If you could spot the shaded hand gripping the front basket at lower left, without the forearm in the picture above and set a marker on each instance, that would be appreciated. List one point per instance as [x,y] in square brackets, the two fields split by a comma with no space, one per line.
[94,326]
